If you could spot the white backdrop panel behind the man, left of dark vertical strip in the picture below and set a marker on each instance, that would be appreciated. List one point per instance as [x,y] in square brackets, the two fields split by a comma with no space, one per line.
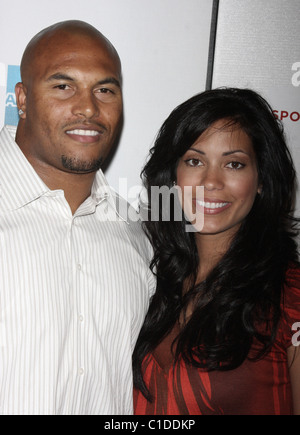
[163,45]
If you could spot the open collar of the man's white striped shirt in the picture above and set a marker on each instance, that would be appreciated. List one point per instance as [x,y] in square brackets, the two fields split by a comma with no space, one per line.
[21,185]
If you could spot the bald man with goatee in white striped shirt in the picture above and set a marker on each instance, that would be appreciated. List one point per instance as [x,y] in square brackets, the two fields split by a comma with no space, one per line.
[75,280]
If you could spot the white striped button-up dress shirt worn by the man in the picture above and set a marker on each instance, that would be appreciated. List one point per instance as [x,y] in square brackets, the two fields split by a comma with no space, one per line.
[74,291]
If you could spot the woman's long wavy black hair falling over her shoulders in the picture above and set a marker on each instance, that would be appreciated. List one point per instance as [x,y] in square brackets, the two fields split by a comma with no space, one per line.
[240,300]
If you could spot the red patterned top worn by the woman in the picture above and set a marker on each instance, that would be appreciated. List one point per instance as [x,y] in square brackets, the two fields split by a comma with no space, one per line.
[255,388]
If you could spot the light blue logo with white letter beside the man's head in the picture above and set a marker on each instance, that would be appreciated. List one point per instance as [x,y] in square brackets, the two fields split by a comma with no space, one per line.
[11,110]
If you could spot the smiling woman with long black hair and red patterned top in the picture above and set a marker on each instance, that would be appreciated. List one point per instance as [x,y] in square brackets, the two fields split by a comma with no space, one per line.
[218,337]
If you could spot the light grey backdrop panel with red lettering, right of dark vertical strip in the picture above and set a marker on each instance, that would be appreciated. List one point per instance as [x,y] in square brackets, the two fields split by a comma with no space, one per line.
[257,46]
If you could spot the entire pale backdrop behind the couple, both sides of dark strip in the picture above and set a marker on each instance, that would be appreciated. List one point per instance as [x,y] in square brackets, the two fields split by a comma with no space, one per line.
[164,46]
